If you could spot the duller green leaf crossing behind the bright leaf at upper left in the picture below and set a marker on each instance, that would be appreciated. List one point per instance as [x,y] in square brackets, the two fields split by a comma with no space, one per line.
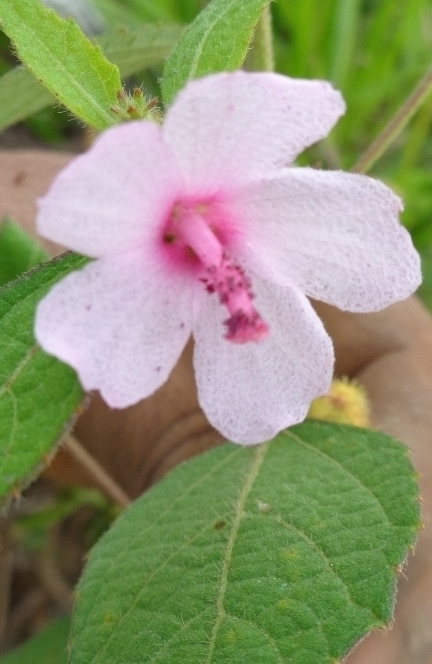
[131,50]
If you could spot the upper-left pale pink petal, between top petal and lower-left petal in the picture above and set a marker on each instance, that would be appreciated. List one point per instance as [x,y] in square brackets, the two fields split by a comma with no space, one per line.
[113,195]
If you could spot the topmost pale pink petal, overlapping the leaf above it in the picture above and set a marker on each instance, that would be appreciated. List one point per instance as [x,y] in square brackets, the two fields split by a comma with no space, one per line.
[231,128]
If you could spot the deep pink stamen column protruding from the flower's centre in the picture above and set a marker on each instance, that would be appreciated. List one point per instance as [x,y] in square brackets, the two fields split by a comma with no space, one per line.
[188,229]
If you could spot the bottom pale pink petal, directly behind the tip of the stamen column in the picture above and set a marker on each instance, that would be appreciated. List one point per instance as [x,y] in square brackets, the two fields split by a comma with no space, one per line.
[251,391]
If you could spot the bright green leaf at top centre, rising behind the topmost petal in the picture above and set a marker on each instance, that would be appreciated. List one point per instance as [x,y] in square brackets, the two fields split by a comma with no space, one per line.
[217,40]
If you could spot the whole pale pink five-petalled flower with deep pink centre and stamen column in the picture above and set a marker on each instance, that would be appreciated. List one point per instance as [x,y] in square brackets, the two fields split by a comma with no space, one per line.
[198,227]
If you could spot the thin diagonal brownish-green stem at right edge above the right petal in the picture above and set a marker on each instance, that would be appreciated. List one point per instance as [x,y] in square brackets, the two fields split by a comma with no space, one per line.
[394,127]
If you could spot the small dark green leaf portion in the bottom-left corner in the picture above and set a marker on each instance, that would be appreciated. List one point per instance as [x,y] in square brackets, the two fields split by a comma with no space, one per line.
[47,647]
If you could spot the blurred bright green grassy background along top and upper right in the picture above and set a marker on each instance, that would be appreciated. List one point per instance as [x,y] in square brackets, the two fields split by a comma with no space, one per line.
[374,51]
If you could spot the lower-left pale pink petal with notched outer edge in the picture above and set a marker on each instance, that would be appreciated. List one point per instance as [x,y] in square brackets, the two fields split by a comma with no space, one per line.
[120,323]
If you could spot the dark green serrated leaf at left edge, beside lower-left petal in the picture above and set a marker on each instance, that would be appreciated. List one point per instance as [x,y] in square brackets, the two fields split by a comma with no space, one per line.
[38,394]
